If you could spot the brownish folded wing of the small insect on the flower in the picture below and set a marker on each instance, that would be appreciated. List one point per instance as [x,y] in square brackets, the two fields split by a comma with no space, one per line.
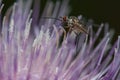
[80,28]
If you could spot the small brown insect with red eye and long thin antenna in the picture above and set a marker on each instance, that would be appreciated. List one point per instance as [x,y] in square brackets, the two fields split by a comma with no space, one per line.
[70,24]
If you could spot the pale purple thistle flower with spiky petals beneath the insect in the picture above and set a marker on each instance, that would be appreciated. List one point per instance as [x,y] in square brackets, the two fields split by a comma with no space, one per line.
[24,56]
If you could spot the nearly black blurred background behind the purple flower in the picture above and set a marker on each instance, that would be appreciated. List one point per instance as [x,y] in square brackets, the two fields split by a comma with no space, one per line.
[98,10]
